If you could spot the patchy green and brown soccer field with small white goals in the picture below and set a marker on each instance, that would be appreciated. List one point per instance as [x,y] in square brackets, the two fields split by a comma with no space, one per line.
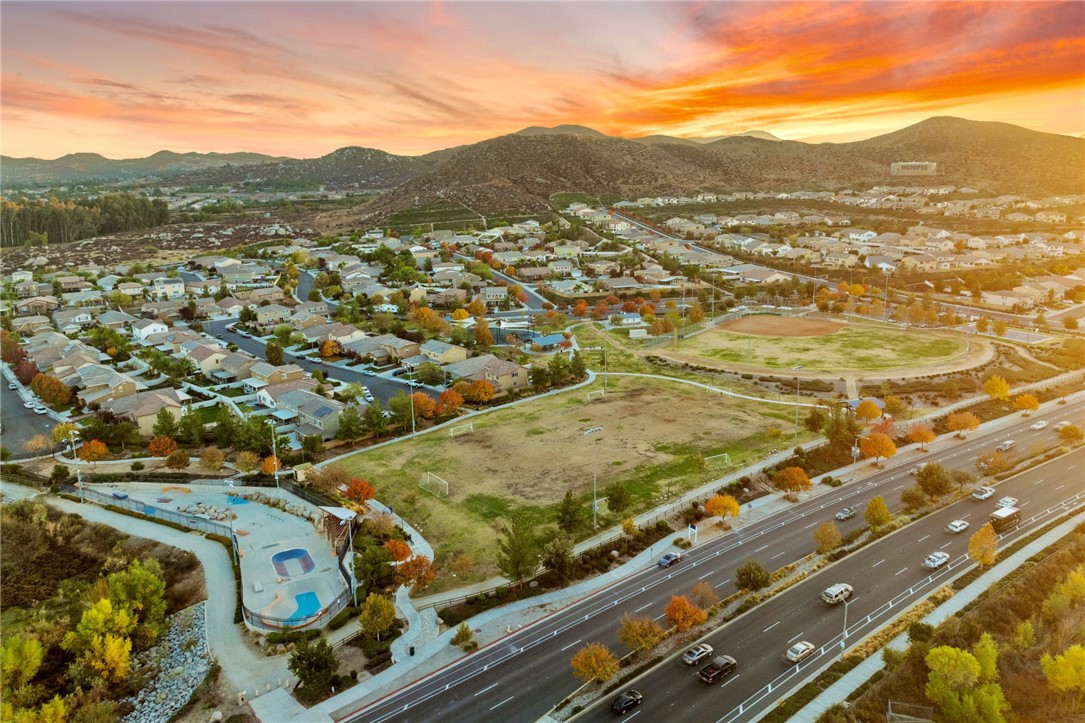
[524,459]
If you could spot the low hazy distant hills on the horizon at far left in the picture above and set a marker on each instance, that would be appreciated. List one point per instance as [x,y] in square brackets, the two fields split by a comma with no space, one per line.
[93,167]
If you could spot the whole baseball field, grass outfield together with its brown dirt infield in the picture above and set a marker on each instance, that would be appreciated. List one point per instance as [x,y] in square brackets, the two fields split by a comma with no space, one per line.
[780,343]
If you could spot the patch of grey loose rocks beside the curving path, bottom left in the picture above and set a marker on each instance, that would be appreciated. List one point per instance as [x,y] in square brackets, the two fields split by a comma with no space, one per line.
[173,669]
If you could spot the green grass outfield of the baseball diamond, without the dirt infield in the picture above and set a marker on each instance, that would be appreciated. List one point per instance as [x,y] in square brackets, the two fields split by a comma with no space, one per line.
[861,348]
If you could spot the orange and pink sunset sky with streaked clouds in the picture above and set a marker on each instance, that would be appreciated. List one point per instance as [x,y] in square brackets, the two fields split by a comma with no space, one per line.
[301,80]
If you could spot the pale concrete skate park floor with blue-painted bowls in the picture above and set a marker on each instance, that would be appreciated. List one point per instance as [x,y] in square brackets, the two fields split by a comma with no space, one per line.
[262,531]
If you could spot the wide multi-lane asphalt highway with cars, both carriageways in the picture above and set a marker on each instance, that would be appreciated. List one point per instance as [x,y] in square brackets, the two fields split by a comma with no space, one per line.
[522,676]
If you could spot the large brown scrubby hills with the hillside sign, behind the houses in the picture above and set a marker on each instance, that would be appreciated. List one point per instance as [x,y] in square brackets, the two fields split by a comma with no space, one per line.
[524,171]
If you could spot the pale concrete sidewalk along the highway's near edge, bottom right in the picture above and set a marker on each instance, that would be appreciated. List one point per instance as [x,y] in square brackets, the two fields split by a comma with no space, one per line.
[839,691]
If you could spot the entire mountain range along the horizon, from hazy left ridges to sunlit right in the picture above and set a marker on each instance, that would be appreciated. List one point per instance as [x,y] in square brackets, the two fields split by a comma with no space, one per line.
[522,171]
